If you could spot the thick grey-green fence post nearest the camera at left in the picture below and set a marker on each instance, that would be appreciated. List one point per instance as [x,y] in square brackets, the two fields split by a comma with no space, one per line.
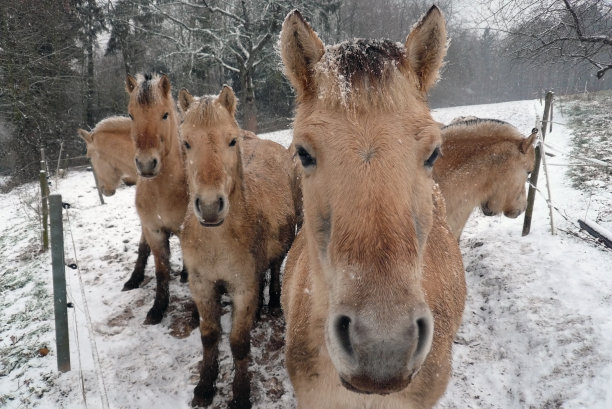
[59,284]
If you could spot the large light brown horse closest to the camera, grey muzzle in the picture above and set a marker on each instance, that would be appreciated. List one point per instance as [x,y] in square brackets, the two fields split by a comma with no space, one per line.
[374,287]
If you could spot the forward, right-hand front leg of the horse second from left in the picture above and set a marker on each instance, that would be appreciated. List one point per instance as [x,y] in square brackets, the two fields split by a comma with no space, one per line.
[160,246]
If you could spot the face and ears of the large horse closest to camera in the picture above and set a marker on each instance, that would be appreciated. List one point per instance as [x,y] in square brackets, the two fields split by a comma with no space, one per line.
[367,144]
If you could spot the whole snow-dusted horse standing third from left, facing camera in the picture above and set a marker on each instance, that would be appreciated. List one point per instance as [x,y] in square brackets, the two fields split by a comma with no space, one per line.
[240,220]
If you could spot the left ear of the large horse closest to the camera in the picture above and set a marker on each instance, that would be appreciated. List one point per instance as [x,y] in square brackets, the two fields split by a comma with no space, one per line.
[300,49]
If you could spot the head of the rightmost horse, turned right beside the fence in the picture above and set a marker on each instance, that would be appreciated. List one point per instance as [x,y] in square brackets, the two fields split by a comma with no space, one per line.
[510,194]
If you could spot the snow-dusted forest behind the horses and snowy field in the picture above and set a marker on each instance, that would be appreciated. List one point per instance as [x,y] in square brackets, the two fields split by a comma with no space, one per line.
[63,64]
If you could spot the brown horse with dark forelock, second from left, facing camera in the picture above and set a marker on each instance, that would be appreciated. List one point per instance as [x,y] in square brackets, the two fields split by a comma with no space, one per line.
[161,190]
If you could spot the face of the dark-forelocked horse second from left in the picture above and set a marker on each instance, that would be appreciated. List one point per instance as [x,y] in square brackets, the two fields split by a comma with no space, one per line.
[151,109]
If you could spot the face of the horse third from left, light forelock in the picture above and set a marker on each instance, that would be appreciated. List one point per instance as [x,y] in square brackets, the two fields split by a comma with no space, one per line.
[210,142]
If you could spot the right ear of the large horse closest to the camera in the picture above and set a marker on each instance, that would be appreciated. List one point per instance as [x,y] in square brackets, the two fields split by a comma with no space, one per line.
[426,47]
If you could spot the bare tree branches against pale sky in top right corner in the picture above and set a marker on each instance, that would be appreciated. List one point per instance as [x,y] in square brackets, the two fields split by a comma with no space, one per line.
[557,30]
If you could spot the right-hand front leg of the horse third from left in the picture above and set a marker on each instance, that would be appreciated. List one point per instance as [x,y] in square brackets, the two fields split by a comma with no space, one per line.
[243,316]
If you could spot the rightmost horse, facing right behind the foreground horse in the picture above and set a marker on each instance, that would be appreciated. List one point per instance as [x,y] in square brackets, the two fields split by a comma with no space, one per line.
[484,162]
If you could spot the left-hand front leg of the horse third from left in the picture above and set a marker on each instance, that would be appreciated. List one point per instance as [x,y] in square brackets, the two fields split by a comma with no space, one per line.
[208,301]
